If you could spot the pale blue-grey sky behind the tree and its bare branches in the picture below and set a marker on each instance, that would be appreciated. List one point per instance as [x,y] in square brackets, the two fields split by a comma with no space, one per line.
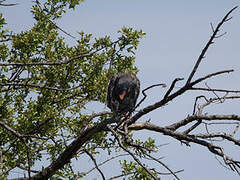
[176,32]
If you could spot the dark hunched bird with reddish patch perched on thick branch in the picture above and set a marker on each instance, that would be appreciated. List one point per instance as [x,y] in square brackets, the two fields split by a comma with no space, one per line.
[122,93]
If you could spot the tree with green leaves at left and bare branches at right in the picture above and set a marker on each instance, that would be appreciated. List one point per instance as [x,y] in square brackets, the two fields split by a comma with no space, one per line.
[46,84]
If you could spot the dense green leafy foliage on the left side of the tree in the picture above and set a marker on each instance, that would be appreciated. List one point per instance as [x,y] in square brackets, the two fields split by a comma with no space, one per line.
[44,95]
